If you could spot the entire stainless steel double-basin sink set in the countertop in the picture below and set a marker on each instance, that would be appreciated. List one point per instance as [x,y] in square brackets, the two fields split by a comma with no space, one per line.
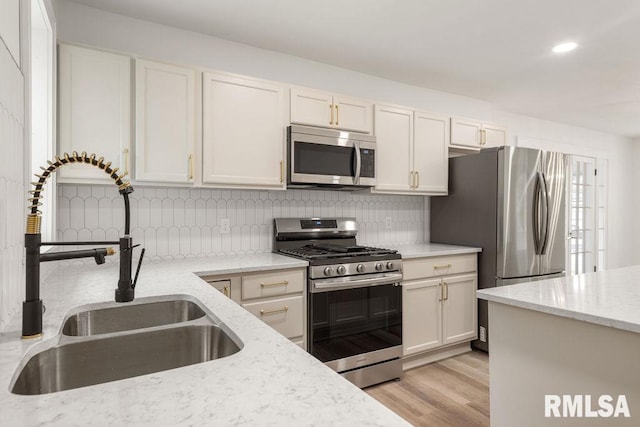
[108,342]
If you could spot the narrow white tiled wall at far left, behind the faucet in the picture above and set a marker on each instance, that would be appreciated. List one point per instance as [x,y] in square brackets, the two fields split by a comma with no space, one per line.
[12,169]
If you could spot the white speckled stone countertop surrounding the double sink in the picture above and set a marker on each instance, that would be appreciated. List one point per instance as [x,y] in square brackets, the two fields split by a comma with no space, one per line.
[271,381]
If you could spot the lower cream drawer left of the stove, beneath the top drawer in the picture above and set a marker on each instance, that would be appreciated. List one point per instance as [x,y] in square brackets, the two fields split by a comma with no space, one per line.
[284,314]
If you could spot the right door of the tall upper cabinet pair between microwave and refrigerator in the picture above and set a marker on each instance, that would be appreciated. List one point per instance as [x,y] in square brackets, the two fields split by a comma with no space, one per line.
[430,156]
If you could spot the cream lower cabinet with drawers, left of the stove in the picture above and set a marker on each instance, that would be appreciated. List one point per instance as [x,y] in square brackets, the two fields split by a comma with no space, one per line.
[275,297]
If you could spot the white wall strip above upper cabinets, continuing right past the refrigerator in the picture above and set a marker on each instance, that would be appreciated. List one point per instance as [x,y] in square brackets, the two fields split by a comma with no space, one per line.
[80,24]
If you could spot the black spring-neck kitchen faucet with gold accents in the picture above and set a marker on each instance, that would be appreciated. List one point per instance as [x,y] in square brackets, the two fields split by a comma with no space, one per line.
[32,307]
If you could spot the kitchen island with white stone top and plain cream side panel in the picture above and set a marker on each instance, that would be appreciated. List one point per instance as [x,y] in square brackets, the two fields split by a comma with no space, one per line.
[566,351]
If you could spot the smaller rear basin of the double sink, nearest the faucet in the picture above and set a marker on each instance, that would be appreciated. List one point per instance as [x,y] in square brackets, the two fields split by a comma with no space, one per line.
[131,316]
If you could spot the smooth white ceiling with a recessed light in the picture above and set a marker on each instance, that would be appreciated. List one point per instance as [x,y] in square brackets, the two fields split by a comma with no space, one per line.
[494,50]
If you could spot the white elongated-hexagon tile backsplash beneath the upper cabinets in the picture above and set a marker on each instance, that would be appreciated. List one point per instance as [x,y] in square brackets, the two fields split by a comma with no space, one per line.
[177,222]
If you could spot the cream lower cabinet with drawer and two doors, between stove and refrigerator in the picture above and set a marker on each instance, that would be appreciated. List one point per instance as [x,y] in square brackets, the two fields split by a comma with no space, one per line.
[438,311]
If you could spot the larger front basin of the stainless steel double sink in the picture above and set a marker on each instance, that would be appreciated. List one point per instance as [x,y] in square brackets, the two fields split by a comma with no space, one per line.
[100,360]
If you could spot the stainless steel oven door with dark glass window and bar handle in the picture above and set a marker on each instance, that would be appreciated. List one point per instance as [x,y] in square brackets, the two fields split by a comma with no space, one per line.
[355,325]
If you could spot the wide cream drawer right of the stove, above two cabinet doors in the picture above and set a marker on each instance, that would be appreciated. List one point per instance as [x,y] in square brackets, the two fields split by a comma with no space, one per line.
[438,266]
